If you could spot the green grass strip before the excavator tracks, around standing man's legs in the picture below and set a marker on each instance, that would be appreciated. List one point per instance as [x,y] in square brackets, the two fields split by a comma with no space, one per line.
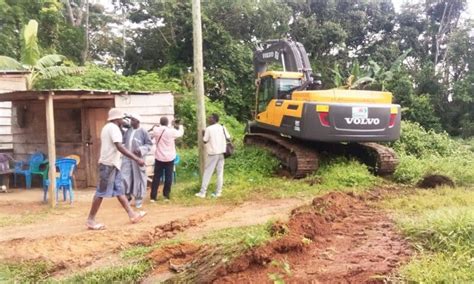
[251,174]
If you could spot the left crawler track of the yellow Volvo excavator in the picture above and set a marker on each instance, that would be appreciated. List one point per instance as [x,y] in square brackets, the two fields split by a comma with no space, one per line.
[299,159]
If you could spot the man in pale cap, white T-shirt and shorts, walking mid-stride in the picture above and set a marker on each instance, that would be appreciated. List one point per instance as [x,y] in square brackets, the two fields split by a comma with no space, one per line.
[110,178]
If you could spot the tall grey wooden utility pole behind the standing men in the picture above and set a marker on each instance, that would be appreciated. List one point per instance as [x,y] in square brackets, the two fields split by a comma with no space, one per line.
[199,80]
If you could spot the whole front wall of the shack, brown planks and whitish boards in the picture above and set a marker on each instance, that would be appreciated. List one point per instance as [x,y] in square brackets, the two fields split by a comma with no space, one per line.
[69,125]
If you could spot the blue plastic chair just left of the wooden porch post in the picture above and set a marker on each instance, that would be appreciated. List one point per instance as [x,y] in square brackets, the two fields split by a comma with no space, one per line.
[33,166]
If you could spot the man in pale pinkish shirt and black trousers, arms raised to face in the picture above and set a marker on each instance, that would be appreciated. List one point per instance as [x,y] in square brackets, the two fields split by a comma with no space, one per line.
[165,155]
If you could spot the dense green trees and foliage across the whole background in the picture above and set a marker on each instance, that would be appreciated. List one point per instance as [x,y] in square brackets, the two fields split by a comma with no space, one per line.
[433,83]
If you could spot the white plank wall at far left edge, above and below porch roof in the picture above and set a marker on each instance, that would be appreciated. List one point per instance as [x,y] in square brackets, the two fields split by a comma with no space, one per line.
[8,83]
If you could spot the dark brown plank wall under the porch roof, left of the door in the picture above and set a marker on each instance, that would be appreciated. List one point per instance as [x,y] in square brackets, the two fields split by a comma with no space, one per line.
[32,137]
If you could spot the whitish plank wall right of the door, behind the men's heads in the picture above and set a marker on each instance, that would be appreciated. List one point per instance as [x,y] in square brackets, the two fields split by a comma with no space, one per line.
[151,108]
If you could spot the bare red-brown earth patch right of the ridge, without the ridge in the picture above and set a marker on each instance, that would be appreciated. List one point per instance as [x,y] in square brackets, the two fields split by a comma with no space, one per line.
[338,238]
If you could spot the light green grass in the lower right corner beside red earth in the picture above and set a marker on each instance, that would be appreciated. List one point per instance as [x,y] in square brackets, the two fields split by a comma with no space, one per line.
[440,225]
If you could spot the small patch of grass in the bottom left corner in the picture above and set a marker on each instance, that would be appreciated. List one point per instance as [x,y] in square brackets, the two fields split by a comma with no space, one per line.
[25,271]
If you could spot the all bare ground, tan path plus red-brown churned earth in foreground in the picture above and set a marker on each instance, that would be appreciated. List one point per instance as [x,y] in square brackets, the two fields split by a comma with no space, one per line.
[335,238]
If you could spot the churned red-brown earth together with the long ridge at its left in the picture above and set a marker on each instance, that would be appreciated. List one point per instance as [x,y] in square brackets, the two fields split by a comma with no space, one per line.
[338,238]
